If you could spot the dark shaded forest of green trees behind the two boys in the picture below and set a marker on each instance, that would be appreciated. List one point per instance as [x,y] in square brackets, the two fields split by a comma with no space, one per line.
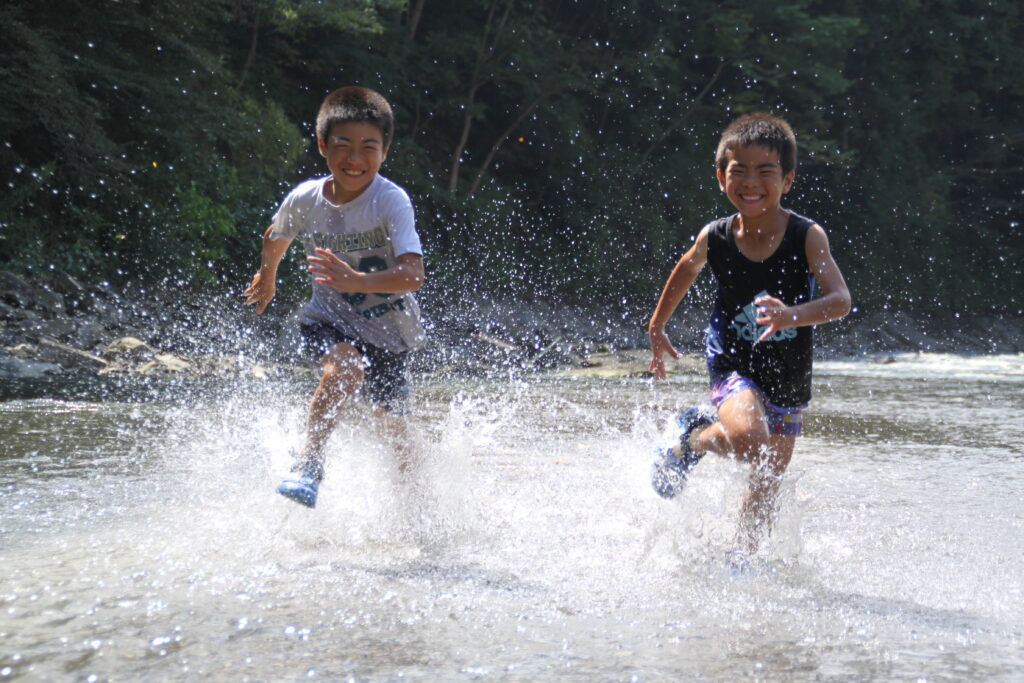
[561,150]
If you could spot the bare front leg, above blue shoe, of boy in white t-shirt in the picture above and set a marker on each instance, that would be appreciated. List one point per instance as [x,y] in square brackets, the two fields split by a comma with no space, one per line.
[342,377]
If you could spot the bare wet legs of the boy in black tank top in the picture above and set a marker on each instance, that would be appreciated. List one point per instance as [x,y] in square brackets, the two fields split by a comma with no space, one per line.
[743,432]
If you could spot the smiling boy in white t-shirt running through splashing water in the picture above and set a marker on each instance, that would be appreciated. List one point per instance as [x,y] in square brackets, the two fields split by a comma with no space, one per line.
[359,232]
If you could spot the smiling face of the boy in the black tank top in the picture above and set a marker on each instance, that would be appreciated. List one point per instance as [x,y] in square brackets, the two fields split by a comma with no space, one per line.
[753,181]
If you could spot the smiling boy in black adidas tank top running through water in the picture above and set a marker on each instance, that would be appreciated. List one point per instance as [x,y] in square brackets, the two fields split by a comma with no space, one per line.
[766,262]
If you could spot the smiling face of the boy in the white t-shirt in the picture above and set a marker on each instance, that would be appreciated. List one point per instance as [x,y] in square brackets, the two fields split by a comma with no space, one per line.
[355,152]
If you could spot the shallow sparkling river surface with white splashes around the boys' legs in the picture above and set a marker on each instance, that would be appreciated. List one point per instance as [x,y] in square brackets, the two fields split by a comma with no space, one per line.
[141,538]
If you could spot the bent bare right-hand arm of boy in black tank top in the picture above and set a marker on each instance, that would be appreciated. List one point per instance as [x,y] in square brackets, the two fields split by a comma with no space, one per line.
[834,304]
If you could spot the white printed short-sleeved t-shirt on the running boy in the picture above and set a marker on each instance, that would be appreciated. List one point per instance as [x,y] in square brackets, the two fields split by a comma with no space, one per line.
[368,234]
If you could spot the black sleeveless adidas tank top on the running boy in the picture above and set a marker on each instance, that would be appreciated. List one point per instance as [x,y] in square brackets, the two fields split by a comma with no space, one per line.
[780,366]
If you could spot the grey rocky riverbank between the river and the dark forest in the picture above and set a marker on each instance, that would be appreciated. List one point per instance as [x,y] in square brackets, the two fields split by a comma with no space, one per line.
[59,324]
